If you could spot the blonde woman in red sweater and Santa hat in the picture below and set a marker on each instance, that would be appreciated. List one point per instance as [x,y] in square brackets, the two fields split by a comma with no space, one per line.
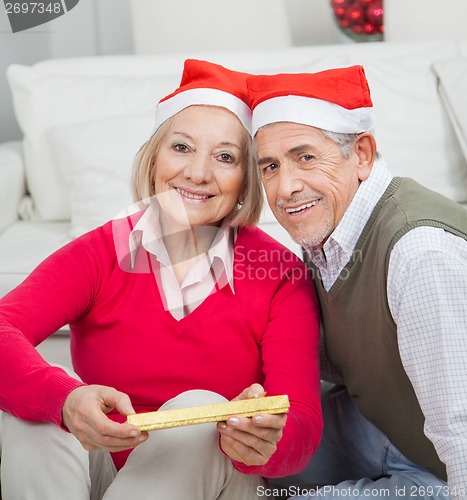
[182,303]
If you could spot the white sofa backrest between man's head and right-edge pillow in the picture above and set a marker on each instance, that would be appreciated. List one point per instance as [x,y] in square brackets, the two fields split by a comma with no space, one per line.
[413,131]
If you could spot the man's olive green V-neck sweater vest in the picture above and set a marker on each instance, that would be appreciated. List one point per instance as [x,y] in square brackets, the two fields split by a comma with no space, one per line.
[360,334]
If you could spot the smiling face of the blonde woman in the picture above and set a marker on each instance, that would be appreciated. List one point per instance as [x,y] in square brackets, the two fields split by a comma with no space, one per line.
[200,165]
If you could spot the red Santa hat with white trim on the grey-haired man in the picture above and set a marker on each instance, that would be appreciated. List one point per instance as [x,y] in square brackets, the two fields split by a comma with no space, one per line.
[337,100]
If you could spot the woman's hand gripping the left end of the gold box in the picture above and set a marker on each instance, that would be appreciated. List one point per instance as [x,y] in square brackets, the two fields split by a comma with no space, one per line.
[84,414]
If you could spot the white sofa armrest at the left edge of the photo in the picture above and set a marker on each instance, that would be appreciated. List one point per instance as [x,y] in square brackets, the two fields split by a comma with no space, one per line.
[12,182]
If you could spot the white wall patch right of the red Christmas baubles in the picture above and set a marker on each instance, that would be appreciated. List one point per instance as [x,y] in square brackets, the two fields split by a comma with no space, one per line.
[424,20]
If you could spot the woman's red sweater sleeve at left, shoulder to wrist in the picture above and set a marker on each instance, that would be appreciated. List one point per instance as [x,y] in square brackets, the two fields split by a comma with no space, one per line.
[57,292]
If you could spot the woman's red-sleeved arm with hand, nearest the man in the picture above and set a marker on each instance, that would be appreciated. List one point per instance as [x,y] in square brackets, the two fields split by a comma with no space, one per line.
[290,362]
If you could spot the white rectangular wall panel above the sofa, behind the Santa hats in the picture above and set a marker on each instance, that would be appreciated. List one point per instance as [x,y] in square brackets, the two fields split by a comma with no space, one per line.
[162,27]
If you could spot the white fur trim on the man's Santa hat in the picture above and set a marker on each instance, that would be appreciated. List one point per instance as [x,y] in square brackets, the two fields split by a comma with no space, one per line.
[314,112]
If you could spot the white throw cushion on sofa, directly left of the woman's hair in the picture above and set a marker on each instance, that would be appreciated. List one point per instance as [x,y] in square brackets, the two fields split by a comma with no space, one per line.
[96,159]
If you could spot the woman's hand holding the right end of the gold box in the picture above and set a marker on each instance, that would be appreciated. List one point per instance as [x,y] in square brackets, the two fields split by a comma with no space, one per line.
[251,440]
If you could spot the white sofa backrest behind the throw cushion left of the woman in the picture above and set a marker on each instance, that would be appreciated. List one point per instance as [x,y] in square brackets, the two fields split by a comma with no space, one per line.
[43,101]
